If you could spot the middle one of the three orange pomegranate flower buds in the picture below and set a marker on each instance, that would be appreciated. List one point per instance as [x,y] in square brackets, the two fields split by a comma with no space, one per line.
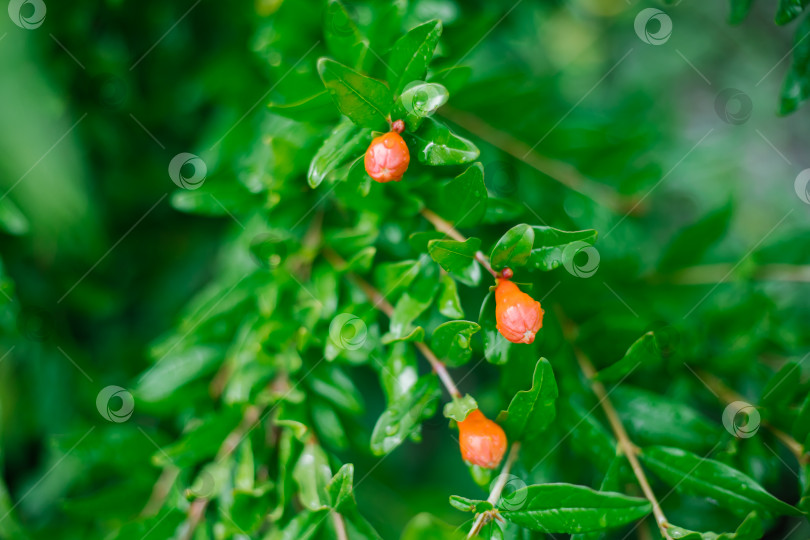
[518,316]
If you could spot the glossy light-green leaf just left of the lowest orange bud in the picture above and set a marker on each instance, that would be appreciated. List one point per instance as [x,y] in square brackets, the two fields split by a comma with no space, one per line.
[403,418]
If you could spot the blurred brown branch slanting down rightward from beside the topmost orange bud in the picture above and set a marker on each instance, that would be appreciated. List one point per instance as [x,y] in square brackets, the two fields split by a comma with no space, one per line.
[559,171]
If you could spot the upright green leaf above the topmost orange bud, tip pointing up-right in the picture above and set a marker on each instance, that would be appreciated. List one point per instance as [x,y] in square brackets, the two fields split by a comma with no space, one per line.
[411,54]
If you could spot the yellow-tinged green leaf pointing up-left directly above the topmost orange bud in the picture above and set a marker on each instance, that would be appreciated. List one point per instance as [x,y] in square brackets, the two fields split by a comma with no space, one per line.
[366,101]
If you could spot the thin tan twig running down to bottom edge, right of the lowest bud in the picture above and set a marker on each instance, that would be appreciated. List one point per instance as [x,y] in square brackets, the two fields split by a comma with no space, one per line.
[629,449]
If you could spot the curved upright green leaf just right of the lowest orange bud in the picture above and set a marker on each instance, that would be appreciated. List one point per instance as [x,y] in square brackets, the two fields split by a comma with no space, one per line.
[531,411]
